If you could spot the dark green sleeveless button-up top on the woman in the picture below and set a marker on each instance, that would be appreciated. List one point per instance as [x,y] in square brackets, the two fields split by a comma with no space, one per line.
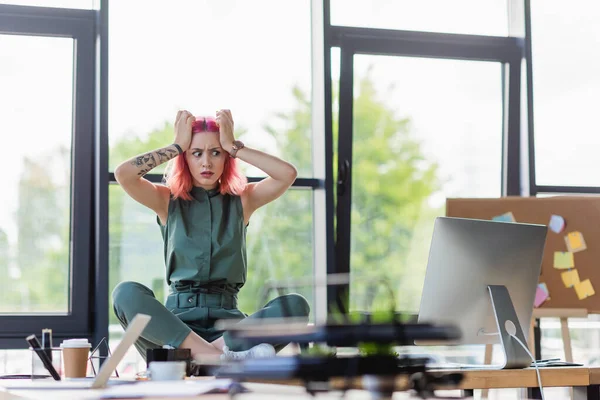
[205,239]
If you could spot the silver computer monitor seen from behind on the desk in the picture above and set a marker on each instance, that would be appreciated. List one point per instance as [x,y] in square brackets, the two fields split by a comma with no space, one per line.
[481,274]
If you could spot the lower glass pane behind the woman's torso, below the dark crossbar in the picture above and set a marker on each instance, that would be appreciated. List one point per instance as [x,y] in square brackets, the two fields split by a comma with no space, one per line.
[136,254]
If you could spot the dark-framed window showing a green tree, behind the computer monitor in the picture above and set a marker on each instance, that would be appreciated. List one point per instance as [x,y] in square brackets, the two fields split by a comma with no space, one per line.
[420,120]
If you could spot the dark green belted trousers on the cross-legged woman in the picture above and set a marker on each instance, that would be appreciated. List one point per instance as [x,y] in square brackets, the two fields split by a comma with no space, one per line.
[189,310]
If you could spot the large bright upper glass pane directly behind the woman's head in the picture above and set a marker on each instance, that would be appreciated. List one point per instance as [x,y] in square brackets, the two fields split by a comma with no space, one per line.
[262,75]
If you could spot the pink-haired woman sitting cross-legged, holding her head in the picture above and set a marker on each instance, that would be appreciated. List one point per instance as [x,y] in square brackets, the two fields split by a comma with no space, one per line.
[203,211]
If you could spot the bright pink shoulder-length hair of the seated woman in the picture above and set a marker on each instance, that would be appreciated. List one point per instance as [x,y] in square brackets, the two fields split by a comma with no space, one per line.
[179,178]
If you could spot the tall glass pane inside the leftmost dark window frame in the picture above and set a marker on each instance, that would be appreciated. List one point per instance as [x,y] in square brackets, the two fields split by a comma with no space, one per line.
[37,110]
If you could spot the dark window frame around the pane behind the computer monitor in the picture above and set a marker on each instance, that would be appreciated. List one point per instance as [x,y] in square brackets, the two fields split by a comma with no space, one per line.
[508,50]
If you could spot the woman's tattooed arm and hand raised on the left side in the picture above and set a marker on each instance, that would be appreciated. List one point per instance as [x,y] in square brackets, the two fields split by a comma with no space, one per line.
[130,174]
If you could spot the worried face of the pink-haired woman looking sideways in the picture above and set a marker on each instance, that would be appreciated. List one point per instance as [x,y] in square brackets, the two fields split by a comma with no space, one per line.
[206,159]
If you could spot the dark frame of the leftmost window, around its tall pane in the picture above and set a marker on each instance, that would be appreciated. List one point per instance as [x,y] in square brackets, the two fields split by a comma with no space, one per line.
[78,25]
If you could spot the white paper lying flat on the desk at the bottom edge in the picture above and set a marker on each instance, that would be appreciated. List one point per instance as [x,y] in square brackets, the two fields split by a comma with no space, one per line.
[168,389]
